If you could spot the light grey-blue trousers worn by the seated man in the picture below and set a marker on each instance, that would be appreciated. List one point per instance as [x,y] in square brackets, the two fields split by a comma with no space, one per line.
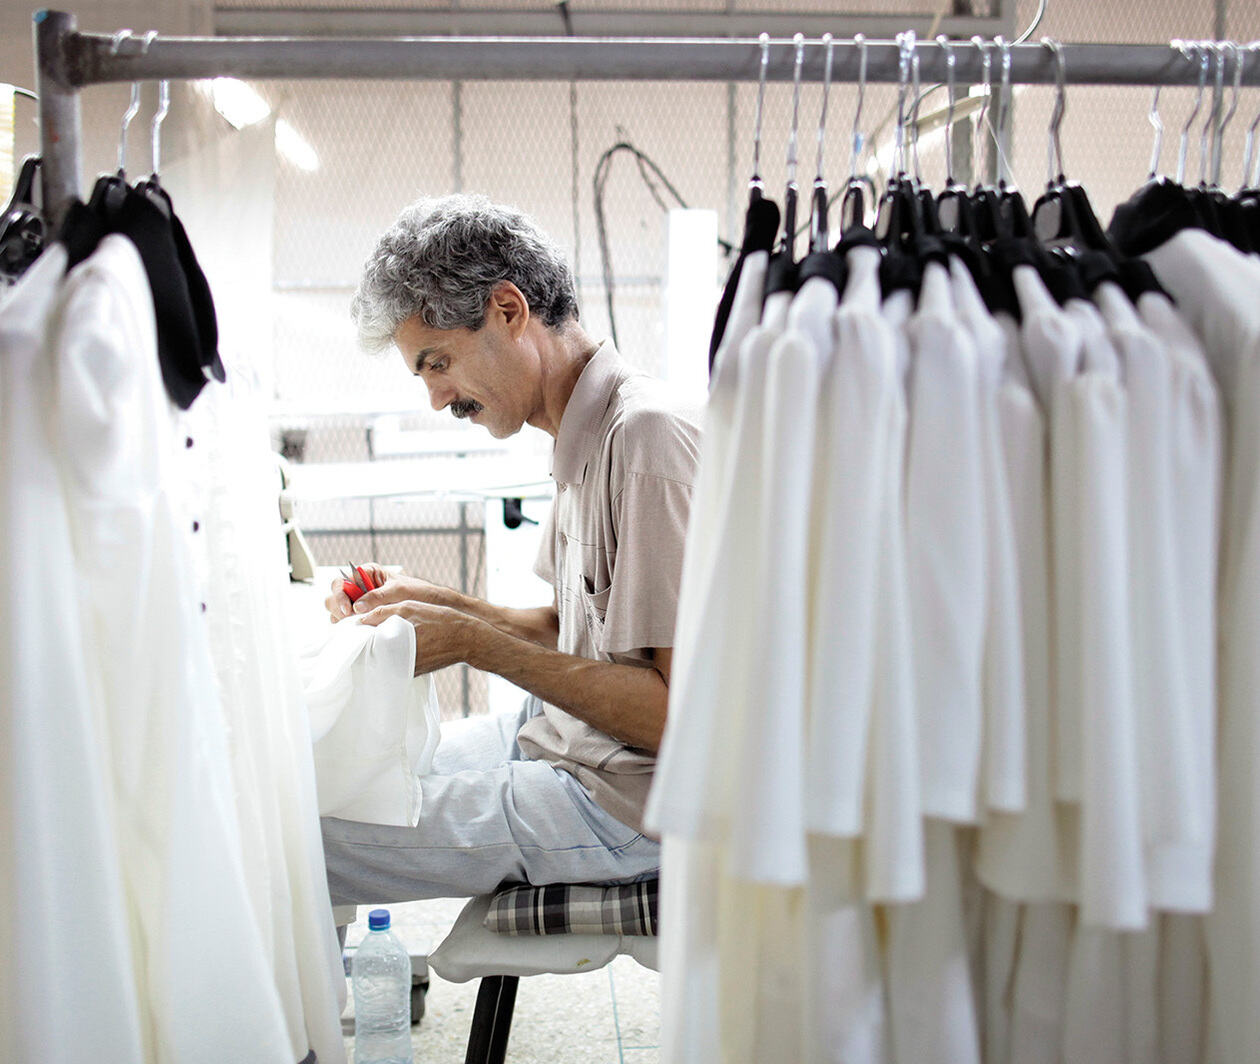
[488,816]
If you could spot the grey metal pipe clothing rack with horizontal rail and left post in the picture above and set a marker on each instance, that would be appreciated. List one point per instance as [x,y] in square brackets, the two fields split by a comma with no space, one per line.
[67,61]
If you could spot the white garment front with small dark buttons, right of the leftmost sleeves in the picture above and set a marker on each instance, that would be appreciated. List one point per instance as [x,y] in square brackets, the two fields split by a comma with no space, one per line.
[230,480]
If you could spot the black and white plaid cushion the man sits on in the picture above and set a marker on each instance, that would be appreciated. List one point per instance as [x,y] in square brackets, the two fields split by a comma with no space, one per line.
[569,910]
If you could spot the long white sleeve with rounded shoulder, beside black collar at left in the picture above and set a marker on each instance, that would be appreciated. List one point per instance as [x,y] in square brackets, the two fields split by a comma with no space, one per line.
[209,990]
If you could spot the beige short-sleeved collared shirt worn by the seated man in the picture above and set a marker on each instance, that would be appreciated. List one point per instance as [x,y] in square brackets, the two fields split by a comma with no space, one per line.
[624,465]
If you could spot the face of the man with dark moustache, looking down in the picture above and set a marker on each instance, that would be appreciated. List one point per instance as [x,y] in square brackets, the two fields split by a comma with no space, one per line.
[482,375]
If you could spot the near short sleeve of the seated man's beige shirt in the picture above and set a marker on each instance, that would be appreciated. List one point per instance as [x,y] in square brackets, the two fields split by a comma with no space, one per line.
[651,515]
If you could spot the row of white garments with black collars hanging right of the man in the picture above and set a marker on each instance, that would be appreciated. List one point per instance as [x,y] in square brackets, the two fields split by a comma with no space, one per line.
[966,699]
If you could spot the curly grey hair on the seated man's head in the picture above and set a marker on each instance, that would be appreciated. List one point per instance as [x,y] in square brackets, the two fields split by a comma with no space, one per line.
[443,260]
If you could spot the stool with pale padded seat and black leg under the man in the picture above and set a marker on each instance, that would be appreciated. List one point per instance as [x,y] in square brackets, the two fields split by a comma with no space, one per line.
[473,951]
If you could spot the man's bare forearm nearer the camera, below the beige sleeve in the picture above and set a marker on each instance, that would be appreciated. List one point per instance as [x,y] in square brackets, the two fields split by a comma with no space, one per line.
[624,702]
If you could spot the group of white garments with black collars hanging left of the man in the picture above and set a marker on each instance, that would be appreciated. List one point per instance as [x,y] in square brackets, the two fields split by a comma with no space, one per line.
[163,879]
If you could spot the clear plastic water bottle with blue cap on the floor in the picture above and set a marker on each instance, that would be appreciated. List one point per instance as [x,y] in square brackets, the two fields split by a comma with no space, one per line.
[381,975]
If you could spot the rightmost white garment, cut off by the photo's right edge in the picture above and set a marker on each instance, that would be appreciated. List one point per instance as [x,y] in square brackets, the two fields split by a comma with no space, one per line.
[1215,289]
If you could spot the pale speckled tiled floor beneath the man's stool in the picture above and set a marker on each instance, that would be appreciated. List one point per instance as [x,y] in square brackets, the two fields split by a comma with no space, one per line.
[608,1017]
